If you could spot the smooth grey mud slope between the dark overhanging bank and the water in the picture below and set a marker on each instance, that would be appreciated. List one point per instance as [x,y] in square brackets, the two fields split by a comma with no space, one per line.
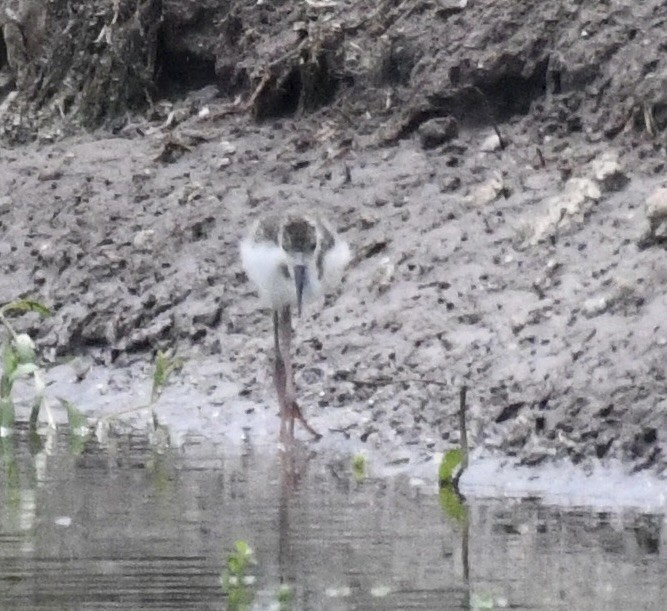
[560,341]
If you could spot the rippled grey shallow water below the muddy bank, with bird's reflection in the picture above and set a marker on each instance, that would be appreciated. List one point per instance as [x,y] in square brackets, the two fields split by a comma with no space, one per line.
[125,526]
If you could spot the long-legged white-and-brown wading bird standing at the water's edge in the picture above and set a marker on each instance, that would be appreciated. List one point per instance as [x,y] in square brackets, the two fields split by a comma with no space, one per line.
[292,258]
